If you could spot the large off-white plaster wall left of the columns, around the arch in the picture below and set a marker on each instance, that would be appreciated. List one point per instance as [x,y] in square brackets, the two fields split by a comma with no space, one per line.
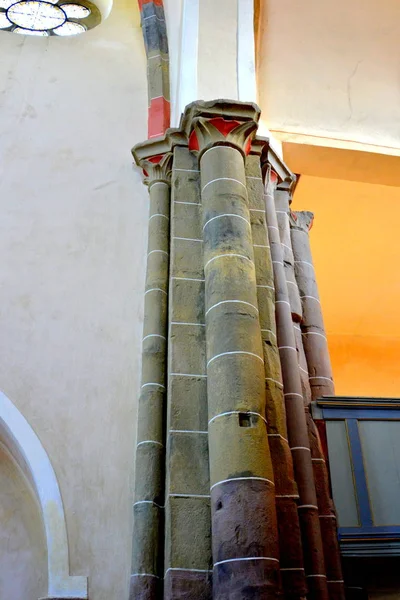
[73,227]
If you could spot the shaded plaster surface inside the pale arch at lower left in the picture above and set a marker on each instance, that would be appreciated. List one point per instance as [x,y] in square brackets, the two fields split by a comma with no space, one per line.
[22,544]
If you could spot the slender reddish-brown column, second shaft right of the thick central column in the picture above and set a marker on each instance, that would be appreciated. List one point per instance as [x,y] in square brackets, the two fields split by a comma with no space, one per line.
[296,421]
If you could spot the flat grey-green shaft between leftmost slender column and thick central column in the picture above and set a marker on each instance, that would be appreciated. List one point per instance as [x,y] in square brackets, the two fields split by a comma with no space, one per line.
[187,507]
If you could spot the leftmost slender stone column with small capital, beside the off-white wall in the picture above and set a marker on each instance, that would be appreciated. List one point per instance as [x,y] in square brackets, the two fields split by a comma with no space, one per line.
[147,552]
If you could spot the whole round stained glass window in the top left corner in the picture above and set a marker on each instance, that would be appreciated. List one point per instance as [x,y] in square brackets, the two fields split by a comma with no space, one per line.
[48,17]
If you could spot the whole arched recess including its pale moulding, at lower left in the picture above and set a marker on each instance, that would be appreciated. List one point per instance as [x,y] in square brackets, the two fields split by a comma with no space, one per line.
[32,516]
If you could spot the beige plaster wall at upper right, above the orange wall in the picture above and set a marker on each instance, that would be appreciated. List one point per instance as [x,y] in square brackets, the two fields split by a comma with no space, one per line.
[330,70]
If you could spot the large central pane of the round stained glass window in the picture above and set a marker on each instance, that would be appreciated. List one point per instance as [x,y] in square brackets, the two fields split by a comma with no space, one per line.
[33,14]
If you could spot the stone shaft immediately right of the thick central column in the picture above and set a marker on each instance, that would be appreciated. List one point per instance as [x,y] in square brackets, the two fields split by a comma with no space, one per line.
[290,545]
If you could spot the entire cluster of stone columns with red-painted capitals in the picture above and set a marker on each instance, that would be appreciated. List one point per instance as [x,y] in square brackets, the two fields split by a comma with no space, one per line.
[226,503]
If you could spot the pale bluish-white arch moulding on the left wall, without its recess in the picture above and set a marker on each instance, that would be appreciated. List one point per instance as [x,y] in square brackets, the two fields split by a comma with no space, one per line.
[25,446]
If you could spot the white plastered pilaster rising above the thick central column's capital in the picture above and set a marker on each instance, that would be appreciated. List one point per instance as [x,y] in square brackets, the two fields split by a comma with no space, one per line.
[212,52]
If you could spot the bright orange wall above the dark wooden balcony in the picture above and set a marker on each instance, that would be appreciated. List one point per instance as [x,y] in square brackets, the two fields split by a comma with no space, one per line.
[355,242]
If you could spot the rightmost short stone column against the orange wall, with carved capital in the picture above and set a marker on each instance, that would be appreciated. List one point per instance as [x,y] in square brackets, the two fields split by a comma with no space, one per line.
[314,337]
